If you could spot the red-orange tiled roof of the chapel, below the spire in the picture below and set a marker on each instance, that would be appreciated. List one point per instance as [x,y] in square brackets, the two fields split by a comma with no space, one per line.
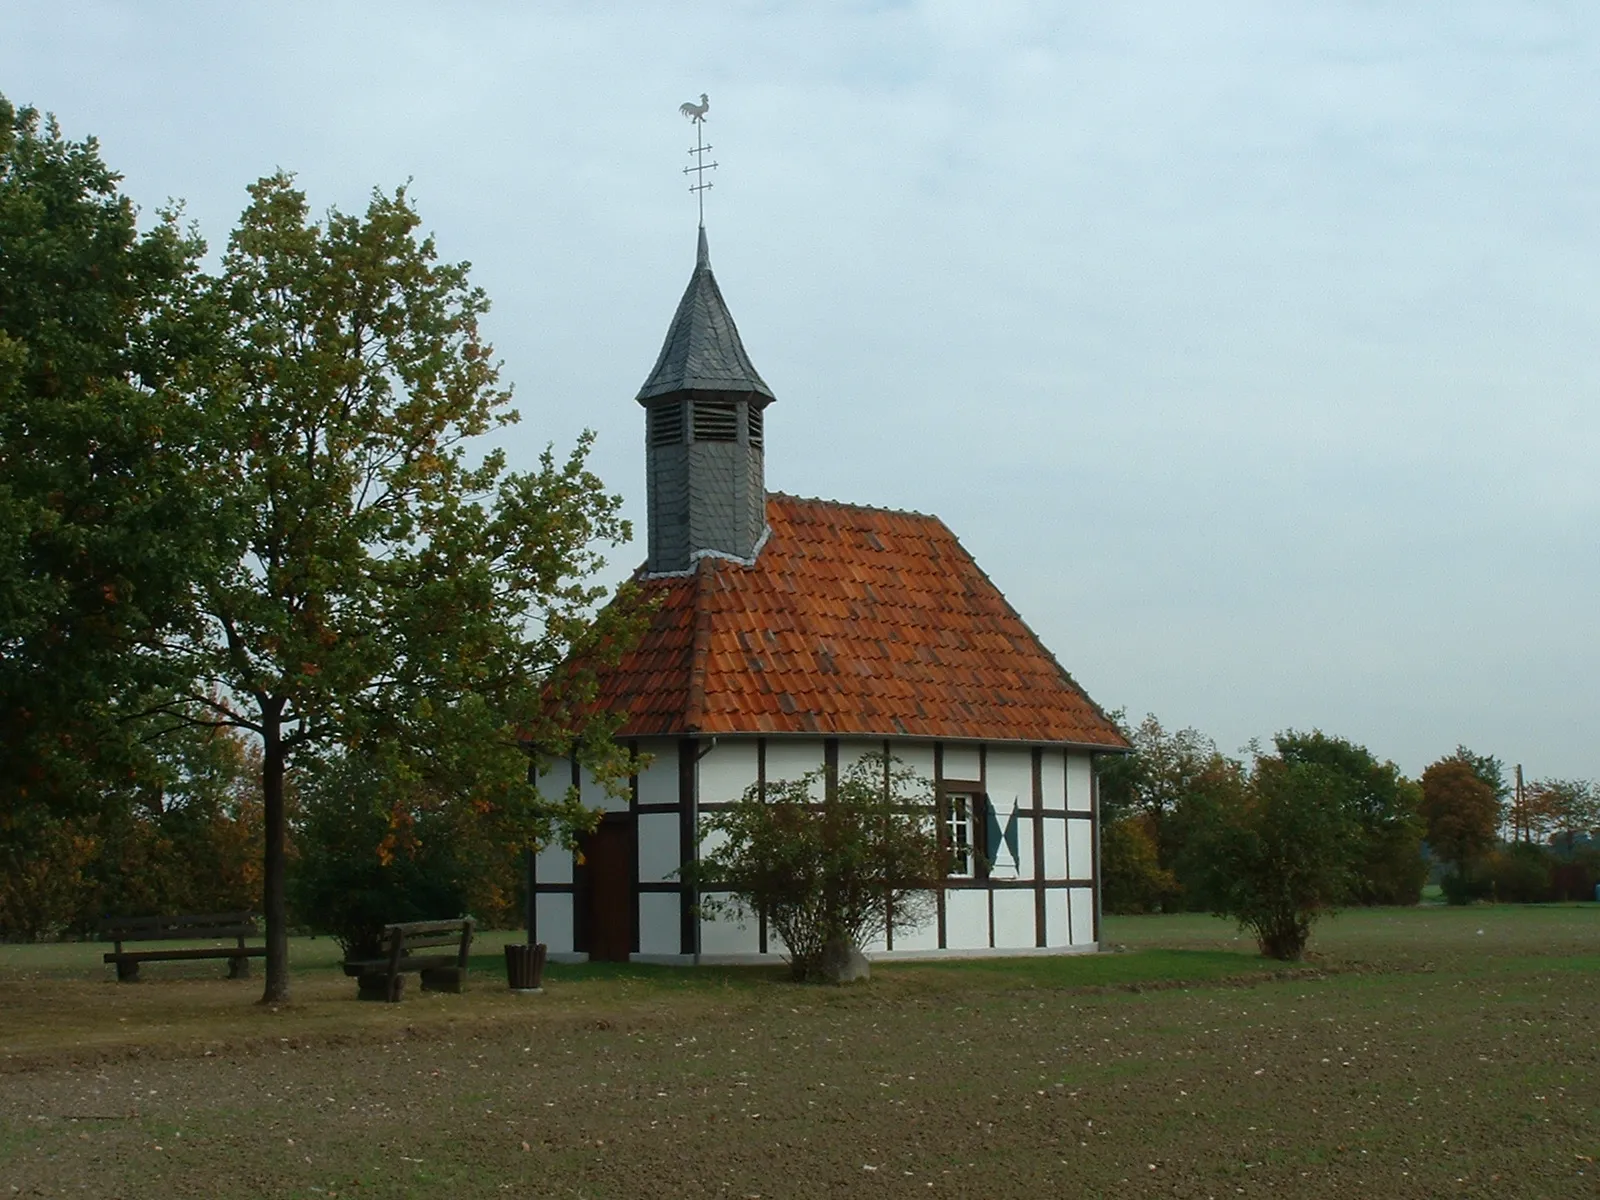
[852,622]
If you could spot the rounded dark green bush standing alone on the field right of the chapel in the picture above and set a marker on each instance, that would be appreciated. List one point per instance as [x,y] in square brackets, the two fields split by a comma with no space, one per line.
[1281,852]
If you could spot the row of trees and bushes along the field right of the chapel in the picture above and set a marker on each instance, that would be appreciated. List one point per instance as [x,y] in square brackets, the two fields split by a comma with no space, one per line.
[1188,828]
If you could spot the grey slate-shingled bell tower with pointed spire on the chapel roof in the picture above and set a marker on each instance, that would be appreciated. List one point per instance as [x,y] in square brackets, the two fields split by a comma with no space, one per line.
[703,436]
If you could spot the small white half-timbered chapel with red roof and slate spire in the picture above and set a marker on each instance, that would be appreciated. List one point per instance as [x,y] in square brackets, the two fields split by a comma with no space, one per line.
[798,634]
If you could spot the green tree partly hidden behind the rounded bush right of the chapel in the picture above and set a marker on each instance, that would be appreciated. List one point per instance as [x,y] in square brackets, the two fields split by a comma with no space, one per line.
[1391,868]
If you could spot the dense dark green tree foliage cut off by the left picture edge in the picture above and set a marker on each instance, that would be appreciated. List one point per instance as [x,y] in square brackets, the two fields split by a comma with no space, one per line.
[102,524]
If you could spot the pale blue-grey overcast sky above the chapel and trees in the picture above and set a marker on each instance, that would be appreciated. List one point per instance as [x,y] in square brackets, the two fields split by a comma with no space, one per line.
[1250,348]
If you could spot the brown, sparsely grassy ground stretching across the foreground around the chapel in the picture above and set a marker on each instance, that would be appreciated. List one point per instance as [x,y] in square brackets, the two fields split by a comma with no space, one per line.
[1426,1060]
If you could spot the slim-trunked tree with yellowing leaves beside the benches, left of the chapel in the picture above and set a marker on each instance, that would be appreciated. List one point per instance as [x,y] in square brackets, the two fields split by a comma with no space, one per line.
[382,586]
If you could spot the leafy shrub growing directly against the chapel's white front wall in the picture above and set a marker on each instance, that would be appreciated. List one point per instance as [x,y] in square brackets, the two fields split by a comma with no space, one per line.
[826,863]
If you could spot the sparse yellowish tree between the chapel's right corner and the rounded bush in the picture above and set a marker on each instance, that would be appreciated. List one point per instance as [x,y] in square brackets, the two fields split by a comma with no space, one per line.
[1166,782]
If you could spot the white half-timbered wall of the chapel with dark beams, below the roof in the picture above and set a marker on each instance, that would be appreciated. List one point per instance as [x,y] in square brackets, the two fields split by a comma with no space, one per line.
[1044,900]
